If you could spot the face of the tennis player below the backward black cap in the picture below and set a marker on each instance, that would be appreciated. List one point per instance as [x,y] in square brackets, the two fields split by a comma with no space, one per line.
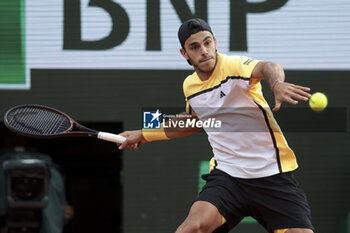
[200,49]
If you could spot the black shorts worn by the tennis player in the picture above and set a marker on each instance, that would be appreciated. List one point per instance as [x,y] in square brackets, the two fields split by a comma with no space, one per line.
[276,202]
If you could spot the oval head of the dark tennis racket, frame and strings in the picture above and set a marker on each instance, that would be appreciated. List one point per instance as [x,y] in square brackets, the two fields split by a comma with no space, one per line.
[37,121]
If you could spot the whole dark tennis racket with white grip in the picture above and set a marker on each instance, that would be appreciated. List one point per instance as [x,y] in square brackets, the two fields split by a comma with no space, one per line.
[39,121]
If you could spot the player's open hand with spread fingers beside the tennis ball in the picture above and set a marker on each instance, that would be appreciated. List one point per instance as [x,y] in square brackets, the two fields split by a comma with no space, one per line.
[290,93]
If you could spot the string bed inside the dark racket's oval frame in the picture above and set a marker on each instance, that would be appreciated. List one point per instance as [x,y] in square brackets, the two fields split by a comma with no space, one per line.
[38,121]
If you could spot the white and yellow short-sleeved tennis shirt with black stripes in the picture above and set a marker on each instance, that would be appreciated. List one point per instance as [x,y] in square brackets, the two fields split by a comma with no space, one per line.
[249,143]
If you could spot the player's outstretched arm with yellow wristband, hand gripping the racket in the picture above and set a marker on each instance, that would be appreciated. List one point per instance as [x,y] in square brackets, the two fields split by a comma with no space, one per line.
[138,137]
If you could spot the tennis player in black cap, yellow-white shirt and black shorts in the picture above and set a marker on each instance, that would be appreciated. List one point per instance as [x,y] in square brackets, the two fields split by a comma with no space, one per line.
[252,171]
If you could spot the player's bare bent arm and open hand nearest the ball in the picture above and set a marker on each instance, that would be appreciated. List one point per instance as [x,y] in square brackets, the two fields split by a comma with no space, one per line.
[273,74]
